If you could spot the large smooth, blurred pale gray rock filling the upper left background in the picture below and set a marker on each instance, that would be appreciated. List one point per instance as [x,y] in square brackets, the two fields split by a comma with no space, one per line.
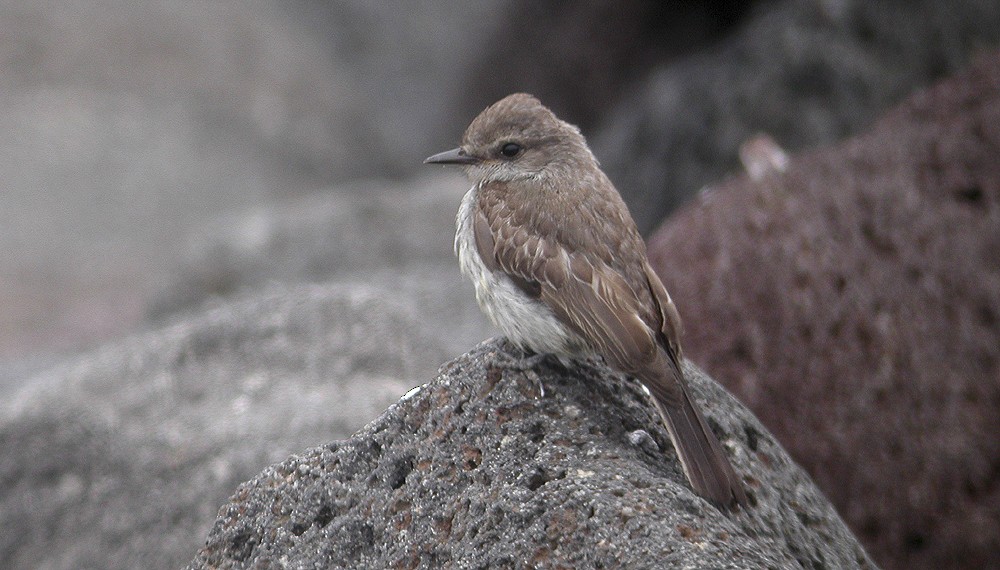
[129,124]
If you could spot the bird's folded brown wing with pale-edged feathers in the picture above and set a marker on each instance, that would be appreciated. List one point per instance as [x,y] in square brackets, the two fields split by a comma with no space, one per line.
[599,292]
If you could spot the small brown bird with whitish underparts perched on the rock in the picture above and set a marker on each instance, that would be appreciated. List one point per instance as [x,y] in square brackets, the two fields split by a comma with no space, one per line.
[559,266]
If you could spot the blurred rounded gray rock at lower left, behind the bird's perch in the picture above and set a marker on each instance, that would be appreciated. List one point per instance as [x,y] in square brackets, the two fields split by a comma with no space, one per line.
[119,459]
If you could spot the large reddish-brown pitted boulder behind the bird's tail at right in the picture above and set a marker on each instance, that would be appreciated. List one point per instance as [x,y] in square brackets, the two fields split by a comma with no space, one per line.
[853,302]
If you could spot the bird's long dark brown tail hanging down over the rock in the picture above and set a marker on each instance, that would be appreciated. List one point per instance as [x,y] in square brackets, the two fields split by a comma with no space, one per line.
[701,455]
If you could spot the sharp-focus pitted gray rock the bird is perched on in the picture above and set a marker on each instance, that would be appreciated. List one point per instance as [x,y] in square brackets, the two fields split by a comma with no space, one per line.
[478,469]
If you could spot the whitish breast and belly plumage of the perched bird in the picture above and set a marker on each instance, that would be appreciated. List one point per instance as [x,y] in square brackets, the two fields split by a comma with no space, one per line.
[525,321]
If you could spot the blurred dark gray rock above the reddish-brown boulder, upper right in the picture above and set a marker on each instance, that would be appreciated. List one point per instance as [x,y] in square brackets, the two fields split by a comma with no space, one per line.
[806,73]
